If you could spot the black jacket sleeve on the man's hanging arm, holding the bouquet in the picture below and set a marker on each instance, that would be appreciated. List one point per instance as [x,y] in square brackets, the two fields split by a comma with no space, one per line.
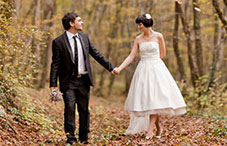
[55,65]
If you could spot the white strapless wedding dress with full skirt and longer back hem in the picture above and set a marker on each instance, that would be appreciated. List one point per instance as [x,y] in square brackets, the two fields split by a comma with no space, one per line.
[153,90]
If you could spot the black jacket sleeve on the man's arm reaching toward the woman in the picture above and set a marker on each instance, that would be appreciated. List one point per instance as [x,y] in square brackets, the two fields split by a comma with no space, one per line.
[99,57]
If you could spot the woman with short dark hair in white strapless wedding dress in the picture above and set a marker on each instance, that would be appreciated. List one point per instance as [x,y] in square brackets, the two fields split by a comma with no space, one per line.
[153,91]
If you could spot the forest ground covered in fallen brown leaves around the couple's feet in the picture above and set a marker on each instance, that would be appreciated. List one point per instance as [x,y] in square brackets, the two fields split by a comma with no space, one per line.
[107,126]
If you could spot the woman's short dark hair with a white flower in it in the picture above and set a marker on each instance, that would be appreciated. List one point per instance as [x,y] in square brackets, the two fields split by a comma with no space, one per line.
[146,19]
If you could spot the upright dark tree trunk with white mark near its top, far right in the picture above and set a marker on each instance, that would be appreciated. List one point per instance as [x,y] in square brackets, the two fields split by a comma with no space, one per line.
[198,42]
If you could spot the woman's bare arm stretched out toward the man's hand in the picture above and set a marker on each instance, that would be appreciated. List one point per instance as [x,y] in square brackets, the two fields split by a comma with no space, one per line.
[131,56]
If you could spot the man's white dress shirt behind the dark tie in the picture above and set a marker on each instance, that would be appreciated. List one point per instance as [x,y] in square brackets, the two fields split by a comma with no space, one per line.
[81,63]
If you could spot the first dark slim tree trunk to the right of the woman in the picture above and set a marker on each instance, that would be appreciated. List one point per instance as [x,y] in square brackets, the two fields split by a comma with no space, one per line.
[175,45]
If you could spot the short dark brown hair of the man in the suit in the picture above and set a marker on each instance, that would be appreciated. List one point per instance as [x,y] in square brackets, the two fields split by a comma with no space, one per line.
[68,17]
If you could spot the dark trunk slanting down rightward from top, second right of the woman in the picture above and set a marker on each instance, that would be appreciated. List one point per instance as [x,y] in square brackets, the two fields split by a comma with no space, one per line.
[192,64]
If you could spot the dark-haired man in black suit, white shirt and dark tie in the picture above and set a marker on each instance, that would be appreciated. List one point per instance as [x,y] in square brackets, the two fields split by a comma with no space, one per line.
[70,63]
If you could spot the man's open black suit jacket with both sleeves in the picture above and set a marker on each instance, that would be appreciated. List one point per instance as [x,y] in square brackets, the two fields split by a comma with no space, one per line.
[63,63]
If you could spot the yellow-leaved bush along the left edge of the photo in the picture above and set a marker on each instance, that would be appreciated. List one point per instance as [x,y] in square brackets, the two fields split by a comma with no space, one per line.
[17,61]
